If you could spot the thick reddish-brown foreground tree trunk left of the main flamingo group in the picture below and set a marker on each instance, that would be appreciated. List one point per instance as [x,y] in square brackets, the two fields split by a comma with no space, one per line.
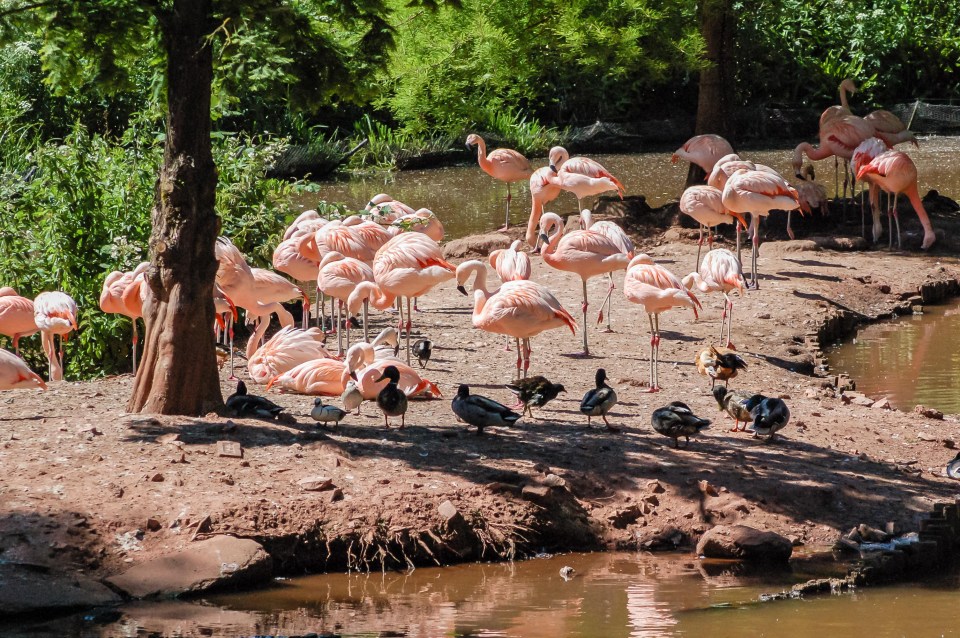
[178,373]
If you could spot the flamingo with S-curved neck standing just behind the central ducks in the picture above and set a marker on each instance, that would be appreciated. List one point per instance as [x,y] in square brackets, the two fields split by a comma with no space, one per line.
[520,309]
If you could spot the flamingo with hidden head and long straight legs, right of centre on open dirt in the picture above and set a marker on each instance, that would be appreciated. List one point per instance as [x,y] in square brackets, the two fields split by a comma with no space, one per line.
[657,290]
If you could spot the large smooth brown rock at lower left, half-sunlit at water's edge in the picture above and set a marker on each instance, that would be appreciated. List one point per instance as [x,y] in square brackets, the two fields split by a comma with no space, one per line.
[216,563]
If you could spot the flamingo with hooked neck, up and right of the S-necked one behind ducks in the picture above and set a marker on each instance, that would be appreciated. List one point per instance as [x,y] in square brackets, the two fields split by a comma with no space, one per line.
[584,252]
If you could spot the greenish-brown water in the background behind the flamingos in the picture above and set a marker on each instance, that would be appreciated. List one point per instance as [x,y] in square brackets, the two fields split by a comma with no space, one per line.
[468,201]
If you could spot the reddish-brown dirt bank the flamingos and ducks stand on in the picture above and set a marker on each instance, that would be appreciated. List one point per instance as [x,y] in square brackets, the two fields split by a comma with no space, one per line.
[85,486]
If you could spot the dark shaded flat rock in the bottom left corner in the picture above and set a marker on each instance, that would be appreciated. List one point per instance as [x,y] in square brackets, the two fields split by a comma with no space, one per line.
[26,589]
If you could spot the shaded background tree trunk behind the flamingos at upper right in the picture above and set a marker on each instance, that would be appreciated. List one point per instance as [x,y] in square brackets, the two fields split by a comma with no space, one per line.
[715,101]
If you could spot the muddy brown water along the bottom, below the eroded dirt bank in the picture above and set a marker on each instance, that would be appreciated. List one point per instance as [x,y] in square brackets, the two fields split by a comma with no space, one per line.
[610,596]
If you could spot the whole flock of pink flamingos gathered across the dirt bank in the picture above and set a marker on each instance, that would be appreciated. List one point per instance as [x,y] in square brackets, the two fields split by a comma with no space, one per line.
[384,258]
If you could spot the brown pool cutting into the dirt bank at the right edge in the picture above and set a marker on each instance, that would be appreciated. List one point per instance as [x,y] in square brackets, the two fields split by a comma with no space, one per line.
[912,359]
